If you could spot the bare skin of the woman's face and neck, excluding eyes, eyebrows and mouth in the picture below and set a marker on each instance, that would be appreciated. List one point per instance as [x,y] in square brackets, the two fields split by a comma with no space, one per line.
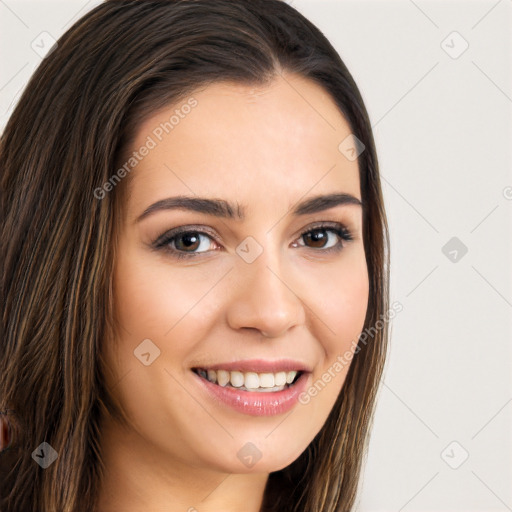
[265,148]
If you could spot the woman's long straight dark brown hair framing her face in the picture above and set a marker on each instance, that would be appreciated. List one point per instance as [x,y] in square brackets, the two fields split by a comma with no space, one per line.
[119,63]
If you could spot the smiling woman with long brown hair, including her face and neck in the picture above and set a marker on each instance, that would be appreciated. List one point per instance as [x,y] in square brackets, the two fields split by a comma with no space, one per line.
[195,249]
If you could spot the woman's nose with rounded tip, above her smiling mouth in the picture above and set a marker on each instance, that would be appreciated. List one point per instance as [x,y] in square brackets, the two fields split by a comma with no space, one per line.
[264,299]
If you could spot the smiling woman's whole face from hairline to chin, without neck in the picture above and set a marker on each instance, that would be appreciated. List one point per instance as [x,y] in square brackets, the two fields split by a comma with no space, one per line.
[249,290]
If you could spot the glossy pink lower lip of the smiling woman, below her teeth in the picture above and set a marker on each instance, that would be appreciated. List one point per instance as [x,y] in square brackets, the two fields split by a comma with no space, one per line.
[256,403]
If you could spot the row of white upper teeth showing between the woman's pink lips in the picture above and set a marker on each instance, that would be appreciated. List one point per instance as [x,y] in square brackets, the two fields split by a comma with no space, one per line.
[250,381]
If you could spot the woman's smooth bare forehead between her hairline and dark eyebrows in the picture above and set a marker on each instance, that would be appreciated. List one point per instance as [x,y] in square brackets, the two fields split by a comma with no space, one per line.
[250,143]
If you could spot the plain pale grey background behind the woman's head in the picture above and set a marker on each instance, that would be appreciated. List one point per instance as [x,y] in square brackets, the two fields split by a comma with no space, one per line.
[443,132]
